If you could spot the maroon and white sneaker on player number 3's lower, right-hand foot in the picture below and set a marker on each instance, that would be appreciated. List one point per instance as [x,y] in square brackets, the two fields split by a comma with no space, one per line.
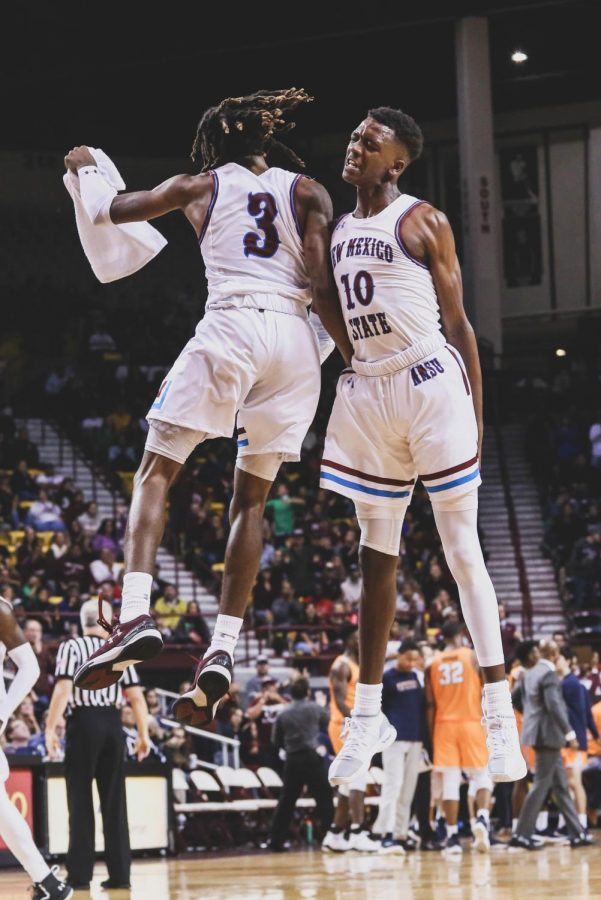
[211,683]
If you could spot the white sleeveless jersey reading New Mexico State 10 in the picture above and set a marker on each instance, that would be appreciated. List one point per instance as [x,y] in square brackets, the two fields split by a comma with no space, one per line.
[388,297]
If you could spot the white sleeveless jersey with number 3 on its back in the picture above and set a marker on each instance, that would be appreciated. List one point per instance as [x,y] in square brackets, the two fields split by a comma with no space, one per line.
[251,240]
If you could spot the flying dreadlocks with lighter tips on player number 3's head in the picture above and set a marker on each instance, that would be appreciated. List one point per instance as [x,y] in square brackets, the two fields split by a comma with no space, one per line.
[246,126]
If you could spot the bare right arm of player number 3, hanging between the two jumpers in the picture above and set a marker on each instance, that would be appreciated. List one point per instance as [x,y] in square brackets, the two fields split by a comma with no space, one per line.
[316,210]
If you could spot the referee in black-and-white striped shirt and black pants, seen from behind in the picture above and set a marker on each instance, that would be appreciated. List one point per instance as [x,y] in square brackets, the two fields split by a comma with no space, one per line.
[95,748]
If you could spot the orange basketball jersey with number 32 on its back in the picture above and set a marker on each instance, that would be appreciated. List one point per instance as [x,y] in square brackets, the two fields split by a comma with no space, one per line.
[456,686]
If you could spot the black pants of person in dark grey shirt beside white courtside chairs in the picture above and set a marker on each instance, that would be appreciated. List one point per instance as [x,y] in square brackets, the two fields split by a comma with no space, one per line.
[303,768]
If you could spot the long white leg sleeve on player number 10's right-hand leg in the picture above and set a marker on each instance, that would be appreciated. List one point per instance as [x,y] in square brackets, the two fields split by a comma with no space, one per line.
[458,530]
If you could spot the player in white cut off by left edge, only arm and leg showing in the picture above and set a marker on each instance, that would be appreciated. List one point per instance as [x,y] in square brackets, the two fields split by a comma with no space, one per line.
[13,827]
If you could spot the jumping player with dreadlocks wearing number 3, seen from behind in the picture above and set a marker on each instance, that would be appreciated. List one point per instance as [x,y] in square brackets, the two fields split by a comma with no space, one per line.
[264,237]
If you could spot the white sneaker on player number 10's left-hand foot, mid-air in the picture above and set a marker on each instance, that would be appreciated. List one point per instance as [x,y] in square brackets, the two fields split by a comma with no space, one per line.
[364,736]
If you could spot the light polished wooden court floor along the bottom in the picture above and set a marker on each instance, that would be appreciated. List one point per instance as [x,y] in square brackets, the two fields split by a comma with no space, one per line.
[556,872]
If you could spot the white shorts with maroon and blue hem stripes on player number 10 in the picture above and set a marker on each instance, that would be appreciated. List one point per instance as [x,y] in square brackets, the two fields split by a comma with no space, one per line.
[385,431]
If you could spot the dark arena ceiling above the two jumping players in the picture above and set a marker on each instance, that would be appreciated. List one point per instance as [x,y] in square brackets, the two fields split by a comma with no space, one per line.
[138,78]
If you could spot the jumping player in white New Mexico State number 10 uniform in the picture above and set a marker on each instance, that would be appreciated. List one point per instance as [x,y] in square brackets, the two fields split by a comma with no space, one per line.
[411,407]
